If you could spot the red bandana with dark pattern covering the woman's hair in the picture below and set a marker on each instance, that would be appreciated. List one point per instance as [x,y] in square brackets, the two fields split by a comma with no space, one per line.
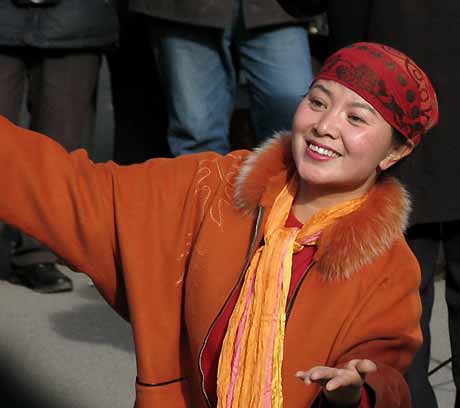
[390,81]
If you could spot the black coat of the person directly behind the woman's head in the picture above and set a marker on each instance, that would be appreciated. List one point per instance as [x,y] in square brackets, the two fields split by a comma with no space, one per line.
[429,32]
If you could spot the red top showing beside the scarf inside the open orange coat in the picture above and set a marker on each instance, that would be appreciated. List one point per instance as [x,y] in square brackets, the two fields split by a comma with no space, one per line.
[211,352]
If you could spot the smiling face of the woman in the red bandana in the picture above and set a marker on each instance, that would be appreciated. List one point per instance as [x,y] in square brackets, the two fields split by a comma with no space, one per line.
[340,142]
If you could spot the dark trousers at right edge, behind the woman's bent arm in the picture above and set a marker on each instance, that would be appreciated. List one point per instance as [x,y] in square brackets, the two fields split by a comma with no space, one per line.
[425,241]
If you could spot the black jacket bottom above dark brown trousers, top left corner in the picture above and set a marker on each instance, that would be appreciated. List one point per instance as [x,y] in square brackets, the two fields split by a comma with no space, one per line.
[69,24]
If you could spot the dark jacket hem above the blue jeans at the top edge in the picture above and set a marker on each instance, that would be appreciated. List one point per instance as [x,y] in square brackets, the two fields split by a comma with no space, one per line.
[214,13]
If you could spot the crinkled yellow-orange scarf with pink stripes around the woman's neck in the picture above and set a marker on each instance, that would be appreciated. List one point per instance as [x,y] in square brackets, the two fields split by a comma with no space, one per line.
[249,373]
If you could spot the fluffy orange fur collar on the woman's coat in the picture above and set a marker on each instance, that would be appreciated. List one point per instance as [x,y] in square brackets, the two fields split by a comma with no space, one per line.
[351,242]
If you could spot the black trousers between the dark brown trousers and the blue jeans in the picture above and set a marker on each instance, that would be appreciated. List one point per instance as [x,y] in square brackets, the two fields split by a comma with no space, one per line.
[137,95]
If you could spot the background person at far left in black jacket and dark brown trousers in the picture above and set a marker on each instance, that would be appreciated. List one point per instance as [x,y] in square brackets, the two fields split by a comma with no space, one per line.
[53,50]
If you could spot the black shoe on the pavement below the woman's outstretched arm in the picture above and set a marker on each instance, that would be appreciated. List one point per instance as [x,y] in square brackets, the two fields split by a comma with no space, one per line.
[42,278]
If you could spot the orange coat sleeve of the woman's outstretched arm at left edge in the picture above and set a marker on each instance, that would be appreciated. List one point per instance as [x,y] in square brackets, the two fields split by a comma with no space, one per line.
[63,200]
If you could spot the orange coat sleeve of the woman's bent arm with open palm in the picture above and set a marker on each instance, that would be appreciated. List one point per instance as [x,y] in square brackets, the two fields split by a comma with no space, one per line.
[386,329]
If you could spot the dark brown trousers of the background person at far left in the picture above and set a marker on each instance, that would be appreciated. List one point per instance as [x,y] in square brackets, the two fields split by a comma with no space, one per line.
[59,90]
